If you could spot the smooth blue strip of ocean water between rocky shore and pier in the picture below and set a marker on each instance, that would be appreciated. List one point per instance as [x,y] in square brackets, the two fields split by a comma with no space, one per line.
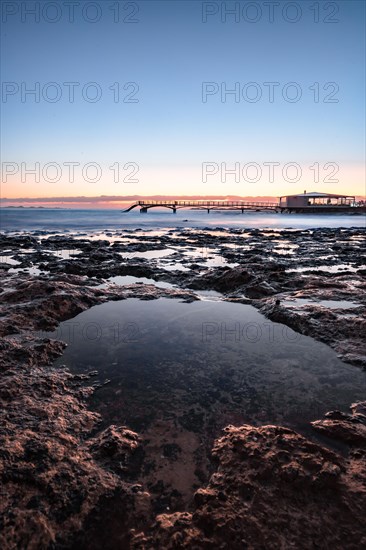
[59,219]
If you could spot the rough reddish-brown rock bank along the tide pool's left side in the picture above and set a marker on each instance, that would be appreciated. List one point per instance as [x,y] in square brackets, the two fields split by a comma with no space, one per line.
[62,484]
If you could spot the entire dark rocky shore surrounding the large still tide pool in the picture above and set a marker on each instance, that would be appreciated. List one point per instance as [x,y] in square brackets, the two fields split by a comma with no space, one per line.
[68,483]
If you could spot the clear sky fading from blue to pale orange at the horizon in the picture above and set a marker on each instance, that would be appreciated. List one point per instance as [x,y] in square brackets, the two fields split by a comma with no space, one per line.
[133,98]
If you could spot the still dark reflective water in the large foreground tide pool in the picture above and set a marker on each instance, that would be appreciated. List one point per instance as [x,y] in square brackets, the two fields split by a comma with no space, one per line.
[204,365]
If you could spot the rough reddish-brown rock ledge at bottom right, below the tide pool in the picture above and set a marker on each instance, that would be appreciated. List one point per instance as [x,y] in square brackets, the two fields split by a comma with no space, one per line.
[275,489]
